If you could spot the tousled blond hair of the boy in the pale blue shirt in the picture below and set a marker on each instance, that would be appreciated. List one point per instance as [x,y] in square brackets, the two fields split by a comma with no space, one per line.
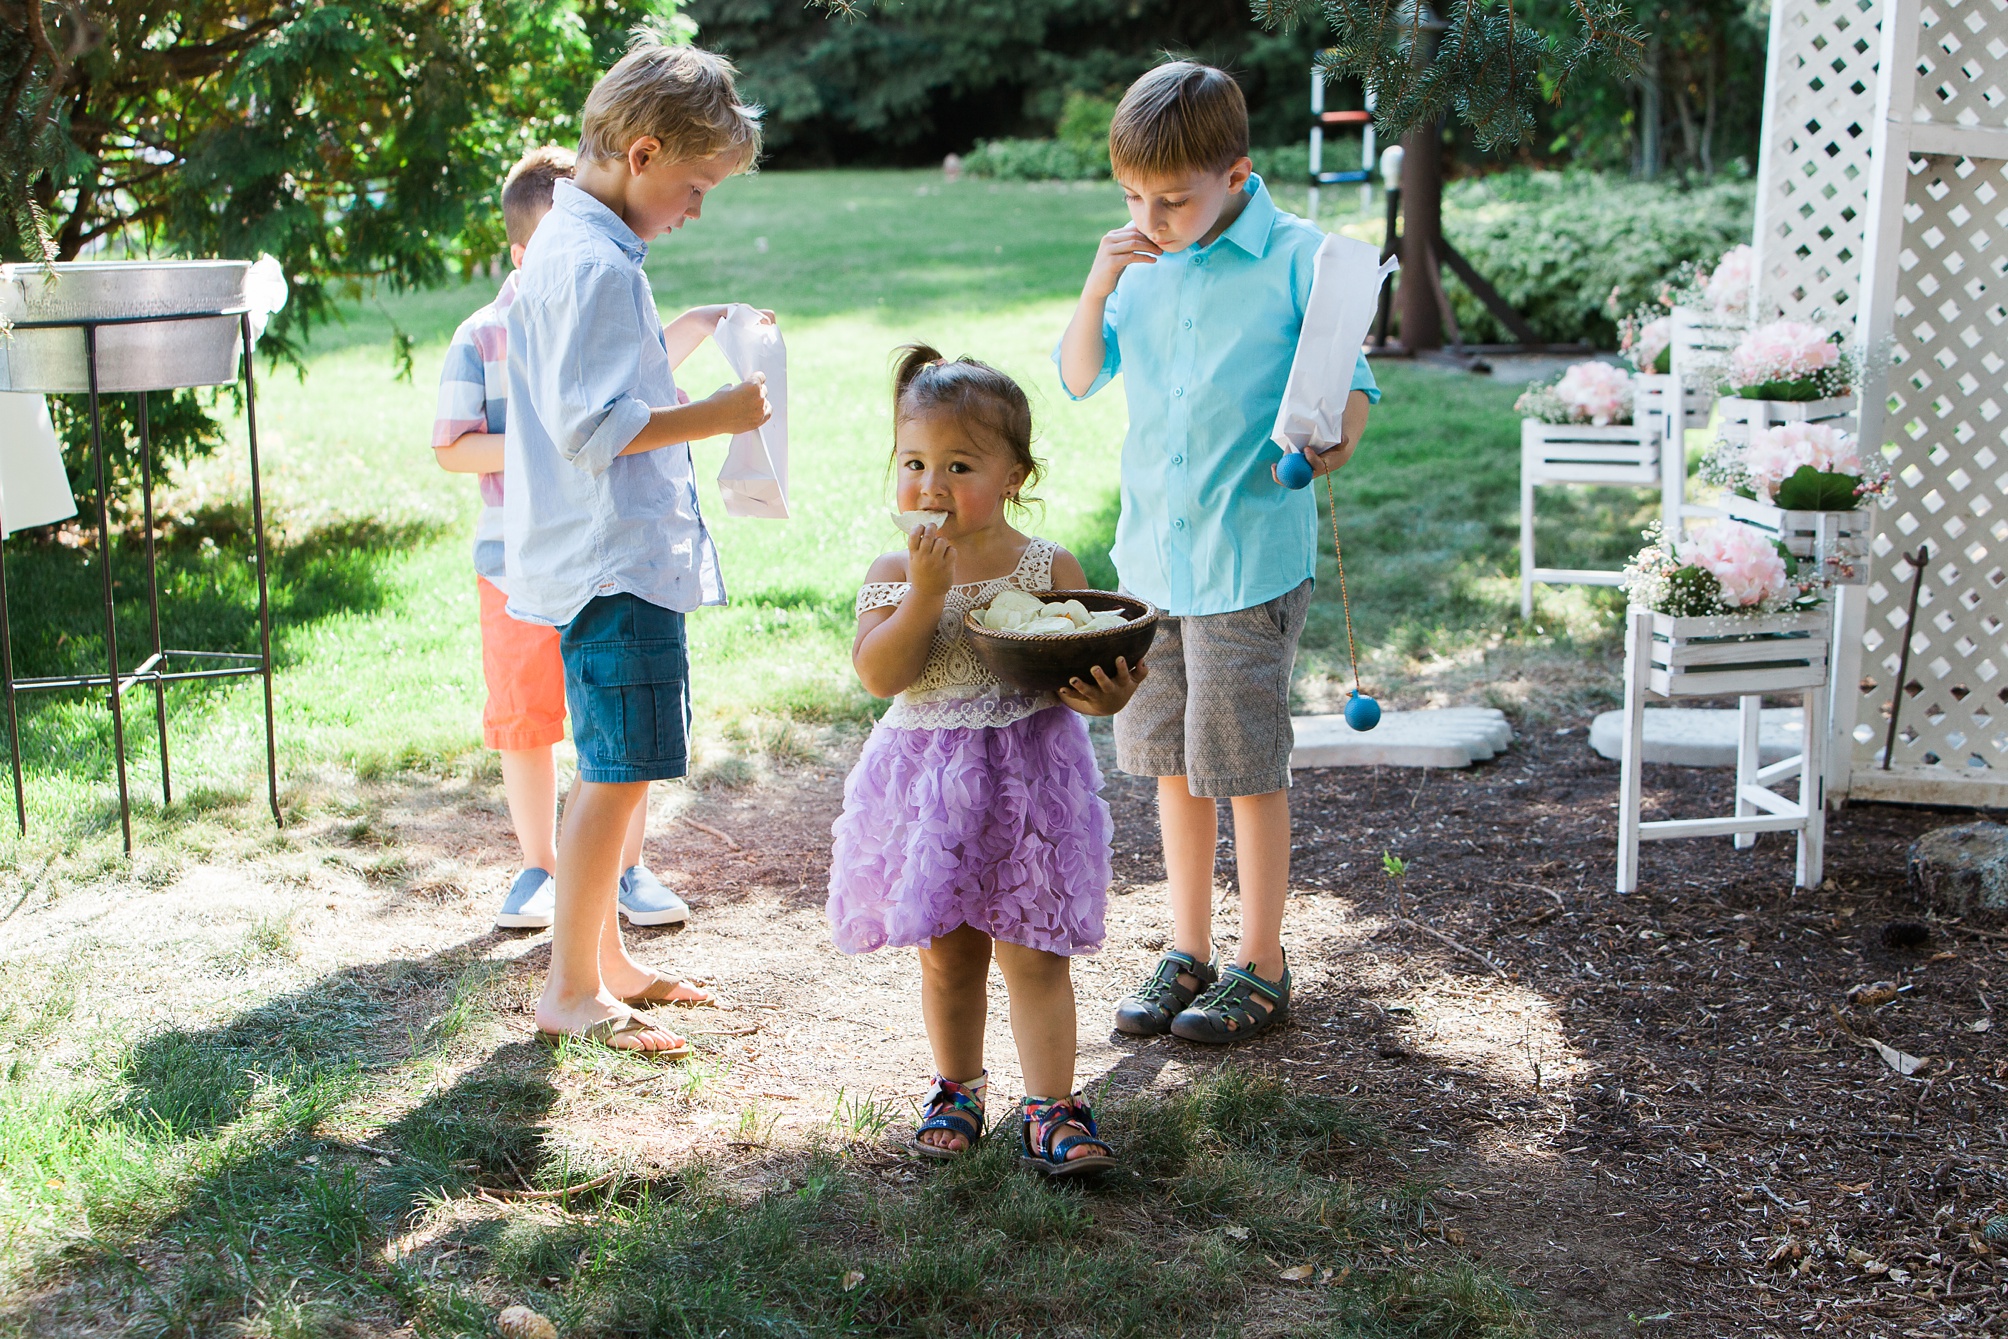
[682,95]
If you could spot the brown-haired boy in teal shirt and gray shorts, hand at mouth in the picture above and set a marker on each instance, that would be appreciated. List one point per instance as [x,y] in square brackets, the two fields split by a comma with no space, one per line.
[1200,304]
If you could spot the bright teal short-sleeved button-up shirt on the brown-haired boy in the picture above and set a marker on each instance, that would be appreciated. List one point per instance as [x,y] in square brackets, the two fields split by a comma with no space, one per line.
[1204,340]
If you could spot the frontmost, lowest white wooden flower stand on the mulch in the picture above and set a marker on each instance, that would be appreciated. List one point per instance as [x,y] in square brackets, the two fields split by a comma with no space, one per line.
[1720,657]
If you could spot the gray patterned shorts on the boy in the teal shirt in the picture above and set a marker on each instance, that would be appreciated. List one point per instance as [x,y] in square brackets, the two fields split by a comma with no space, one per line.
[1216,708]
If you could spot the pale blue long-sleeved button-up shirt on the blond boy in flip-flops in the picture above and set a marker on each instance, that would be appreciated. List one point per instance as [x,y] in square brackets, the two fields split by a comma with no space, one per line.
[585,368]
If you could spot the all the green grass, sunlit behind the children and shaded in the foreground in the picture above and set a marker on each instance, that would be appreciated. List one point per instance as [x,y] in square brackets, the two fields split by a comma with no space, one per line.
[202,1153]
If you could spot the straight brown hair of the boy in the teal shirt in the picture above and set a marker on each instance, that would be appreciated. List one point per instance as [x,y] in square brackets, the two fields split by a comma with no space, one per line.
[1180,117]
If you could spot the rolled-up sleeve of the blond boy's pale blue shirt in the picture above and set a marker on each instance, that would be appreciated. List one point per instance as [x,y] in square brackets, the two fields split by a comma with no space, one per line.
[585,380]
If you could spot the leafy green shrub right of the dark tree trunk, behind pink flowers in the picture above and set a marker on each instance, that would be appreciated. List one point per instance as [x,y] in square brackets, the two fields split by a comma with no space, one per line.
[1559,246]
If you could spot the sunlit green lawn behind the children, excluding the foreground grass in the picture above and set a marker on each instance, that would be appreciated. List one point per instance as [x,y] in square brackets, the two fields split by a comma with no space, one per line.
[374,595]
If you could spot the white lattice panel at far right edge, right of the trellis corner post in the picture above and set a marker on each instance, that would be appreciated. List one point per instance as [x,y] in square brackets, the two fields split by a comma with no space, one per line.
[1937,294]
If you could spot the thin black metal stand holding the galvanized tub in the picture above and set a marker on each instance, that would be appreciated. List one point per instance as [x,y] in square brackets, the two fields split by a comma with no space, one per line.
[156,669]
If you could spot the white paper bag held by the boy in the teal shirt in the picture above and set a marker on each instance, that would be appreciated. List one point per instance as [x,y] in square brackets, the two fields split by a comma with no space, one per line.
[1344,302]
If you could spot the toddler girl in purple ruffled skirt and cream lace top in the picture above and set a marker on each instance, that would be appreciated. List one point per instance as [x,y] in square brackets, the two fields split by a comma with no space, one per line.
[975,820]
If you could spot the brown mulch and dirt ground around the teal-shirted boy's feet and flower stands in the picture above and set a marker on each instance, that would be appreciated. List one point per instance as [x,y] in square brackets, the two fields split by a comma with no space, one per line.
[1662,1109]
